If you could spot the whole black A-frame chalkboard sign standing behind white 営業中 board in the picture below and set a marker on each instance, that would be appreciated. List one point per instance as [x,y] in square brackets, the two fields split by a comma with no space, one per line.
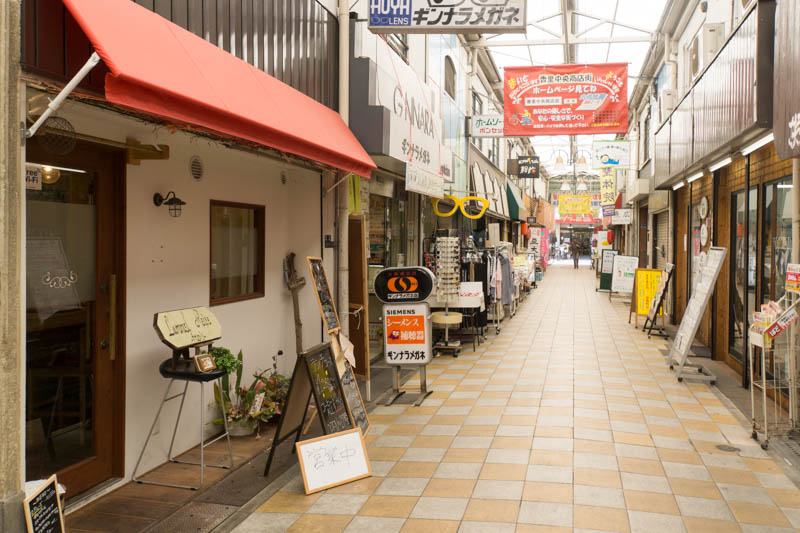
[314,375]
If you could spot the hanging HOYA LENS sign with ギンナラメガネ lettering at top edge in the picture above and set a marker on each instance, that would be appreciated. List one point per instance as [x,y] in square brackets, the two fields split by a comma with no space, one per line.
[447,16]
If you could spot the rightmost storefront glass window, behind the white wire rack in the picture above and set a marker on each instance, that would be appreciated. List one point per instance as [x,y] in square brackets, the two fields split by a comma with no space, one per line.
[777,238]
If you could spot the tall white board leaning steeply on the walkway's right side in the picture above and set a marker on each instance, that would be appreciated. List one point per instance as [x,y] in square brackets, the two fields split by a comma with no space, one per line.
[698,302]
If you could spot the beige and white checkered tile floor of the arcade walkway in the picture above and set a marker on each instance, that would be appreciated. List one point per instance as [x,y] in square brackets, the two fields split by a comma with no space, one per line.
[569,420]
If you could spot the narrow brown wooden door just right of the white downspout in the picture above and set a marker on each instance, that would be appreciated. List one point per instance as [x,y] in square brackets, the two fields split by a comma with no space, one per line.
[359,324]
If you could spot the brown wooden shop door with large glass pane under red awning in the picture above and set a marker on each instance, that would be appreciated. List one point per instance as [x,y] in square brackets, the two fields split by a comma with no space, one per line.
[75,314]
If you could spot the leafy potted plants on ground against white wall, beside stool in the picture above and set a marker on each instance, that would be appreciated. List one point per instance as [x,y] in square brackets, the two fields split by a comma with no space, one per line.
[247,407]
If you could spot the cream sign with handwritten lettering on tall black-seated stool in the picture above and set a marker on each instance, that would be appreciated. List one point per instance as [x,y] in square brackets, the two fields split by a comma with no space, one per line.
[186,328]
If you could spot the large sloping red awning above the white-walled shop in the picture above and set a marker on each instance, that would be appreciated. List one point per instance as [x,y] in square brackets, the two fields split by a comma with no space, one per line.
[160,68]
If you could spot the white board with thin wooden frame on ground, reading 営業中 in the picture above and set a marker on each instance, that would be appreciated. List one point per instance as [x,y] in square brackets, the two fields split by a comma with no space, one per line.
[333,460]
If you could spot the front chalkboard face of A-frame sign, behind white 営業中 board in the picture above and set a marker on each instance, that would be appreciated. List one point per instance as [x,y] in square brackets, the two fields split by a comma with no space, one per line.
[327,389]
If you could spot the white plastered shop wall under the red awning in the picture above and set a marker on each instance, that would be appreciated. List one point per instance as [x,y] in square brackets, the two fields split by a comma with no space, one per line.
[168,265]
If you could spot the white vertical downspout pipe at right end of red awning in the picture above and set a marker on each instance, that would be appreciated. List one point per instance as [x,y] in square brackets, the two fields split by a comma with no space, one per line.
[342,193]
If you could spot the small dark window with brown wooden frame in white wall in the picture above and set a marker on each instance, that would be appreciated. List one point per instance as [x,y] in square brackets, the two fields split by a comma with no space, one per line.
[237,252]
